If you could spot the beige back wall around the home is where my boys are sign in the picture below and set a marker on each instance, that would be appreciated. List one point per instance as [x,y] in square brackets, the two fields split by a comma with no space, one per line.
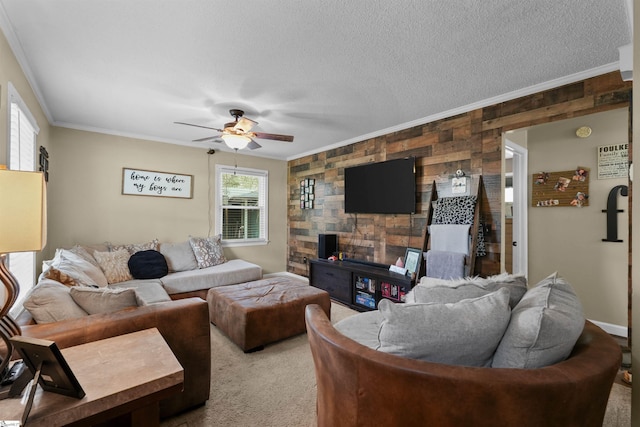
[86,204]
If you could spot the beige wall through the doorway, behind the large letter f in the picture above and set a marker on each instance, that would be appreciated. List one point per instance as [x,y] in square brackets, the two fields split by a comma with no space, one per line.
[569,239]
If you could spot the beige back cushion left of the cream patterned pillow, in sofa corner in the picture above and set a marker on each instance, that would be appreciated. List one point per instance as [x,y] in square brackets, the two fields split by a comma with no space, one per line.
[71,269]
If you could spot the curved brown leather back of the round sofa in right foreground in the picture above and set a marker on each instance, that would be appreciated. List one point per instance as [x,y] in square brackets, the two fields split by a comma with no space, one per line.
[358,386]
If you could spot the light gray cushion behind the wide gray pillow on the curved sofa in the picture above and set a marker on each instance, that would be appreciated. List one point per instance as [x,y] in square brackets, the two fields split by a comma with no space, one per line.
[446,291]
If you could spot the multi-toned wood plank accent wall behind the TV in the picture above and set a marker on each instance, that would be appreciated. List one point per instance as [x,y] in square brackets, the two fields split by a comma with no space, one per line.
[471,141]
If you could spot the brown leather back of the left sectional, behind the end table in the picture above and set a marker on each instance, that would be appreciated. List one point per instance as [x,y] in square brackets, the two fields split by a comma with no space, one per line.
[183,323]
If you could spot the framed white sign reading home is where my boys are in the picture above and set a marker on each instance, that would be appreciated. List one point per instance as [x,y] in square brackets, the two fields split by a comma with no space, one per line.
[140,182]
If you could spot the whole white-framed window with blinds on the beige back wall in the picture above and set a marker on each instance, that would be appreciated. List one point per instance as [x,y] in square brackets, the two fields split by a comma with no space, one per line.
[241,205]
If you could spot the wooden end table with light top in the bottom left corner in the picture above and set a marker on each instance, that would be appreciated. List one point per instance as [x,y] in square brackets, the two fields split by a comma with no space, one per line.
[124,378]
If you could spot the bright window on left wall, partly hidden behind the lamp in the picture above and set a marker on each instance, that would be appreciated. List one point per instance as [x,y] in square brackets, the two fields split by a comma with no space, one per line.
[22,156]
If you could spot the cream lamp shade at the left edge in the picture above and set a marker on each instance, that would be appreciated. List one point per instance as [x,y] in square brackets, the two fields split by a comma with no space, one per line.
[23,211]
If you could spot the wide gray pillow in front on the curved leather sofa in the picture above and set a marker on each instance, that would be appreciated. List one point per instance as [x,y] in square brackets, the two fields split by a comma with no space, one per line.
[464,333]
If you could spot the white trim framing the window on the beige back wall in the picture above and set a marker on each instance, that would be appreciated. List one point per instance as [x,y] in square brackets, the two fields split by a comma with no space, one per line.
[220,169]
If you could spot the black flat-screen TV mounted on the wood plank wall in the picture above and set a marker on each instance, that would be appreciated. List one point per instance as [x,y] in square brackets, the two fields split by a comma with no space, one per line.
[384,187]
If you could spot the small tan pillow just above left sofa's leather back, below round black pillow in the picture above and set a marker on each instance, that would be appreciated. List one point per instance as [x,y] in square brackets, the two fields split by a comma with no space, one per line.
[96,301]
